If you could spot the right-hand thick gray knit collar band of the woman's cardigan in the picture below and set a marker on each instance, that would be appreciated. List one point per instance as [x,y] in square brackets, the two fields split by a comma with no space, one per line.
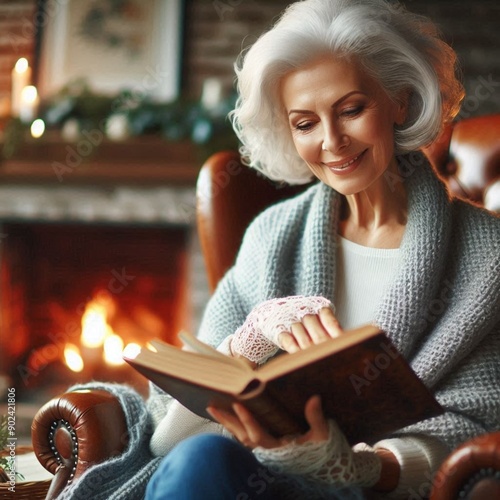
[424,250]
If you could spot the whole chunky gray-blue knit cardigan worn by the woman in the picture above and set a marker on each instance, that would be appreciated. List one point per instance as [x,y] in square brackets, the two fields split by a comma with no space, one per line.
[442,311]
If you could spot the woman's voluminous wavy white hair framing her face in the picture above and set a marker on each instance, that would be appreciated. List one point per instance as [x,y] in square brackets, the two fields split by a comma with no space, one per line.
[401,50]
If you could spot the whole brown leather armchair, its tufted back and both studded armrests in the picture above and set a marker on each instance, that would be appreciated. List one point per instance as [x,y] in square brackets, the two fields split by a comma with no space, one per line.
[78,429]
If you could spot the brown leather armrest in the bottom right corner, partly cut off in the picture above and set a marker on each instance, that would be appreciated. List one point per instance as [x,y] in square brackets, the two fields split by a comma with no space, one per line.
[472,471]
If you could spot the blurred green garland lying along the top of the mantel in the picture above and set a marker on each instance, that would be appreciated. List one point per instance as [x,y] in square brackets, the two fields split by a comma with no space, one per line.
[180,120]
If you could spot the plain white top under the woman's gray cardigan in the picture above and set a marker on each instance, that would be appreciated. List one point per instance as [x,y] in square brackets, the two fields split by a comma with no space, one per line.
[363,275]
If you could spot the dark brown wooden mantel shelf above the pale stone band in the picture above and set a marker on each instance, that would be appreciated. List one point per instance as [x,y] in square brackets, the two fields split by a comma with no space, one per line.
[139,160]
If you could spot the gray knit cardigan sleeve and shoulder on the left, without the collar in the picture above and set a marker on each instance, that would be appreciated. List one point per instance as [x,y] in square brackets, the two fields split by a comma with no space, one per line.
[265,268]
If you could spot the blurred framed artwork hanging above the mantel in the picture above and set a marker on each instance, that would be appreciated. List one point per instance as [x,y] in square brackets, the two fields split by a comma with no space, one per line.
[112,45]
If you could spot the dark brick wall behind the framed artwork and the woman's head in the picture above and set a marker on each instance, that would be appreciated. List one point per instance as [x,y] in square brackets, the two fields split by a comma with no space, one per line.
[216,30]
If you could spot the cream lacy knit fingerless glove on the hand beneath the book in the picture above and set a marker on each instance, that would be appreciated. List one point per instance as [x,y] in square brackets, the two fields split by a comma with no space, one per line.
[332,462]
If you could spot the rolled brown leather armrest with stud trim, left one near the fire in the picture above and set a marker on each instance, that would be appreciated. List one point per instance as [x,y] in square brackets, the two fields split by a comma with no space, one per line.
[76,430]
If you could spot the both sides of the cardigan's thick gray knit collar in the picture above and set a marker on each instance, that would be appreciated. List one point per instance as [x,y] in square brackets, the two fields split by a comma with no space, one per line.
[423,249]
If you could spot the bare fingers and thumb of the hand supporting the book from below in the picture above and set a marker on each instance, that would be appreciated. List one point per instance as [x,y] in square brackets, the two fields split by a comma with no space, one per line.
[251,434]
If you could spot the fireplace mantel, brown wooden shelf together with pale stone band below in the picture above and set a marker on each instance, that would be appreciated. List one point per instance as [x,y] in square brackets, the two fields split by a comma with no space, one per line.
[144,180]
